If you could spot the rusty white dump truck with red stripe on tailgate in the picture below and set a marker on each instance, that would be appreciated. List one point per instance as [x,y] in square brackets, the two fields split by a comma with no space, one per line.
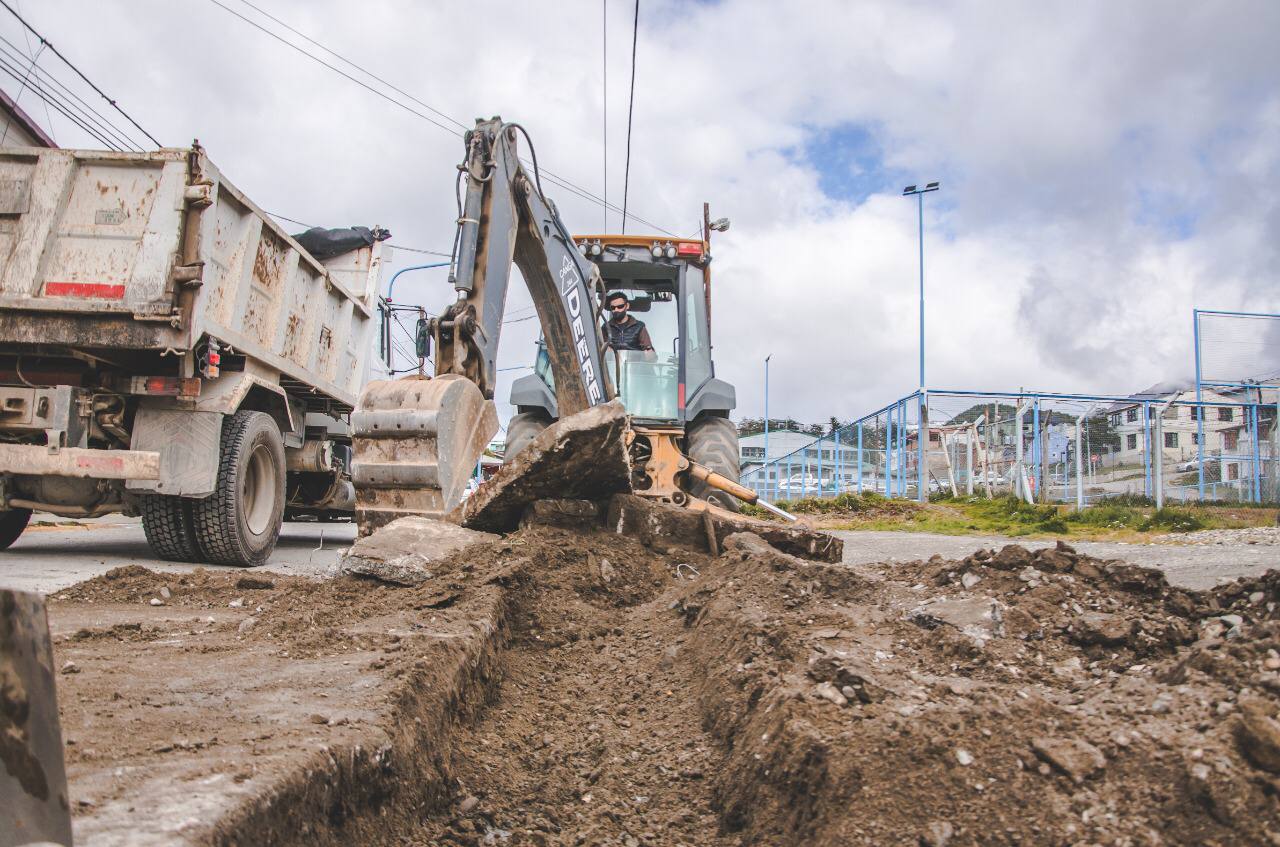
[167,350]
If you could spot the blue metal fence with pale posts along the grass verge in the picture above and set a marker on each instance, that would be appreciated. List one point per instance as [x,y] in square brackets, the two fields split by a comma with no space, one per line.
[1044,447]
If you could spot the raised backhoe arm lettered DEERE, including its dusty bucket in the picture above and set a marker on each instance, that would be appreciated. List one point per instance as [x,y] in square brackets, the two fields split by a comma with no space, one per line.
[418,441]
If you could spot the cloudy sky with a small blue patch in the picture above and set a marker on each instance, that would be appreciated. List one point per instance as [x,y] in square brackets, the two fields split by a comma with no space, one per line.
[1105,167]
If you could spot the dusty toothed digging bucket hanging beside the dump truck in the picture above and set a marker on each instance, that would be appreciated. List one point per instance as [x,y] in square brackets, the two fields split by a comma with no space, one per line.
[417,443]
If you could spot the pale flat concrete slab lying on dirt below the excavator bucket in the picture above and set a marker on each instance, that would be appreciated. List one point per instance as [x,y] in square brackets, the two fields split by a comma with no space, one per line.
[403,552]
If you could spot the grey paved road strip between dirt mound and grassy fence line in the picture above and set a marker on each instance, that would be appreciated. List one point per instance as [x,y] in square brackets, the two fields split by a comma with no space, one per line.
[1194,567]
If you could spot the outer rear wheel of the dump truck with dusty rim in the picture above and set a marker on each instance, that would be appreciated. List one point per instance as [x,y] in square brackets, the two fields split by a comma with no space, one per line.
[240,523]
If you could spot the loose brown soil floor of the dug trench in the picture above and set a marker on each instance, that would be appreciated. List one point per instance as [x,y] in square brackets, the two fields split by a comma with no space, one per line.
[596,736]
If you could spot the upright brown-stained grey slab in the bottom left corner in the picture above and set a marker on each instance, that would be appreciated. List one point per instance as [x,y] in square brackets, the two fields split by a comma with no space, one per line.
[34,804]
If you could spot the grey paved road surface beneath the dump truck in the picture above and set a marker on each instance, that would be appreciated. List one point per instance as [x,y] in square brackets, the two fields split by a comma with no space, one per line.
[48,558]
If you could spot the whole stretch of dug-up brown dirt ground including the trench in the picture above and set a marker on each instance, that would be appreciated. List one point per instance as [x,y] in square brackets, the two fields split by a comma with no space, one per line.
[650,694]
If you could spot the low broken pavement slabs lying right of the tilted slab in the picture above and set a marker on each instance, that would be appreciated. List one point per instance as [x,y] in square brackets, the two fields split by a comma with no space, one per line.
[664,526]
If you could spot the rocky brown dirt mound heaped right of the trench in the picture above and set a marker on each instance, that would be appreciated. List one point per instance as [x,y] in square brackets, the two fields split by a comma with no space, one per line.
[1008,698]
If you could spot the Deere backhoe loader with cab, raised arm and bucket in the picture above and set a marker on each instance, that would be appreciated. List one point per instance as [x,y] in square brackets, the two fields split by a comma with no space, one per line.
[417,441]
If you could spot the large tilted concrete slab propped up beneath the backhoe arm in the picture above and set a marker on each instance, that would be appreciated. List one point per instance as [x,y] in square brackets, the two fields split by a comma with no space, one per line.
[580,457]
